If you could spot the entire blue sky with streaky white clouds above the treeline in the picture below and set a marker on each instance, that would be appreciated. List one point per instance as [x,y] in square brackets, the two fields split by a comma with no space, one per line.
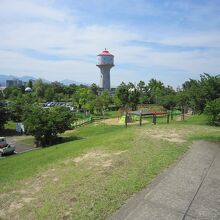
[170,40]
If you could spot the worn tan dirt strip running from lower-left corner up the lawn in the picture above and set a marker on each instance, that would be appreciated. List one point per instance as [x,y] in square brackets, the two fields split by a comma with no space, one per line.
[31,193]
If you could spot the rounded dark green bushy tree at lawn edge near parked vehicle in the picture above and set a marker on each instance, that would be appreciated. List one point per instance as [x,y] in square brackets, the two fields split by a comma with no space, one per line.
[45,123]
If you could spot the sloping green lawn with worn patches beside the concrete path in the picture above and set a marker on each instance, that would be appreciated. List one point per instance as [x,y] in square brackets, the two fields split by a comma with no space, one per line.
[94,173]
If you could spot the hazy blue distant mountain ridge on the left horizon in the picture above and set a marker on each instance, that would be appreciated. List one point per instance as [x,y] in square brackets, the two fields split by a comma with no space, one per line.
[26,78]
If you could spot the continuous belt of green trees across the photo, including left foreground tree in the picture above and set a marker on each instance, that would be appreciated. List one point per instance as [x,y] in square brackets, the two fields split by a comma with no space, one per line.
[44,124]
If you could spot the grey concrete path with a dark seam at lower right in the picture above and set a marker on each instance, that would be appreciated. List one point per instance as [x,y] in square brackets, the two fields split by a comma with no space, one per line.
[188,190]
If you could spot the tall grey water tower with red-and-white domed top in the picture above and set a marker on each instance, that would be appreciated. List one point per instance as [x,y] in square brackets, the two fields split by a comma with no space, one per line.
[105,61]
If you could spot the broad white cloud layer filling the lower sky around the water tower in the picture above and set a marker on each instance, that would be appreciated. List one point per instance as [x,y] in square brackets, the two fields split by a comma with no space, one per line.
[45,28]
